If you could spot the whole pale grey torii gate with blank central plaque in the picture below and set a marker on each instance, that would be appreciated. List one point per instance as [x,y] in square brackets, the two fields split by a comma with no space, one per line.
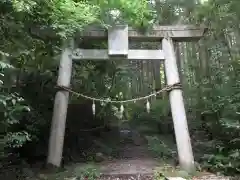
[118,40]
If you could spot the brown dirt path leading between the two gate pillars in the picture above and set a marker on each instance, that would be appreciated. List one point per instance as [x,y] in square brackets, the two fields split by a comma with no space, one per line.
[134,157]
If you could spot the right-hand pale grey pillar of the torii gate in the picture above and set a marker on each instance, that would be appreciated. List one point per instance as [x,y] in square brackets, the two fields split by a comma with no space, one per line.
[184,147]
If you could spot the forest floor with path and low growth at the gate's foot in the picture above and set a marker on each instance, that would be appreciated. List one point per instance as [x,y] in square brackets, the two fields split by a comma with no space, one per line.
[134,162]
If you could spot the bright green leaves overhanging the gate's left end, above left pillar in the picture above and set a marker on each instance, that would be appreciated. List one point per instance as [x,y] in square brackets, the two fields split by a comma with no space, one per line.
[65,17]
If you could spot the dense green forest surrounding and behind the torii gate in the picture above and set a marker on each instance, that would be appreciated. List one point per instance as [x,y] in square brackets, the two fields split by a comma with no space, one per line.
[33,33]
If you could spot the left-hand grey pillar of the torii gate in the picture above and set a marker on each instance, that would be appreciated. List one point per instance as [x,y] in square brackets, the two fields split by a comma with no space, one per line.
[56,140]
